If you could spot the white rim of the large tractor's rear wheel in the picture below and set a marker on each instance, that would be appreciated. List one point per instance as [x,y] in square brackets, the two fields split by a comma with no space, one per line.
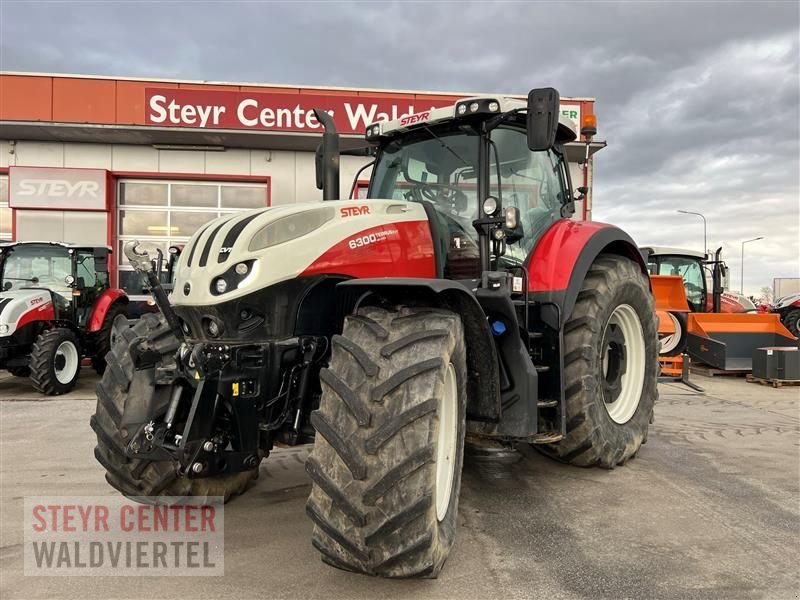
[624,406]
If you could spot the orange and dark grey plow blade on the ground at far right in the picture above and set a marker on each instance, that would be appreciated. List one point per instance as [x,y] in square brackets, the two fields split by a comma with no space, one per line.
[727,341]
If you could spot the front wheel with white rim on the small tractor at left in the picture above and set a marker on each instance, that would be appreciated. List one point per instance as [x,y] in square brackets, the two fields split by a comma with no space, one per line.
[55,362]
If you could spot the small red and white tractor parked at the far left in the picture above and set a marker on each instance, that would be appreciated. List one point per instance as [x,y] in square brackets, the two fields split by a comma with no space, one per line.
[56,307]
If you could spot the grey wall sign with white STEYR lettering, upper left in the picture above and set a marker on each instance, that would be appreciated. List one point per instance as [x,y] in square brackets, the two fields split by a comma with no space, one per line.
[57,189]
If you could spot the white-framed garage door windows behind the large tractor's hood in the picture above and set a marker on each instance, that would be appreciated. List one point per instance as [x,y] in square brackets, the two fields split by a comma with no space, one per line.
[162,213]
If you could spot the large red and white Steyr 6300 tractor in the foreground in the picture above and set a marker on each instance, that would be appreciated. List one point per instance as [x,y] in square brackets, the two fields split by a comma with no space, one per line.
[458,297]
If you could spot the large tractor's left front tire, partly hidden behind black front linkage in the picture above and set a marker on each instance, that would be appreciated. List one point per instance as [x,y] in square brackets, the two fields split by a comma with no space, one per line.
[124,388]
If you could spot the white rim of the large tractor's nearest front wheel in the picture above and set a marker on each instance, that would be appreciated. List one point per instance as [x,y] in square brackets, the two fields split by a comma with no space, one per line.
[446,443]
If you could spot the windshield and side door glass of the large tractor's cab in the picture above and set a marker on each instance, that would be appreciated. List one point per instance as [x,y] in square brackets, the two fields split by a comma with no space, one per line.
[439,165]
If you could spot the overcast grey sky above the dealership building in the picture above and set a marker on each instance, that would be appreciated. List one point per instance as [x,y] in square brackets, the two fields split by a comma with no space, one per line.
[699,102]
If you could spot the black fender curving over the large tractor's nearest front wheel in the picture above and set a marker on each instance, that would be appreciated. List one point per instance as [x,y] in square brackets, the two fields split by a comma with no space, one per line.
[483,393]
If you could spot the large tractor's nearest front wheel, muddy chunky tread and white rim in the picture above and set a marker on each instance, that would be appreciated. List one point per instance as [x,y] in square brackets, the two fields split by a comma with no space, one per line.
[386,464]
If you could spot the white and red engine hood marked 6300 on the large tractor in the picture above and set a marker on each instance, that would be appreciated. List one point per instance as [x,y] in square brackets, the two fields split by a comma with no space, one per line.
[252,250]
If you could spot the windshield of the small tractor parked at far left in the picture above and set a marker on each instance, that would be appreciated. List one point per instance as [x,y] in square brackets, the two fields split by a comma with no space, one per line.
[32,265]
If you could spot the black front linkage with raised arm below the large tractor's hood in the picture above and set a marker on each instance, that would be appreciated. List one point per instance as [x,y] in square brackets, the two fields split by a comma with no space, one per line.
[229,402]
